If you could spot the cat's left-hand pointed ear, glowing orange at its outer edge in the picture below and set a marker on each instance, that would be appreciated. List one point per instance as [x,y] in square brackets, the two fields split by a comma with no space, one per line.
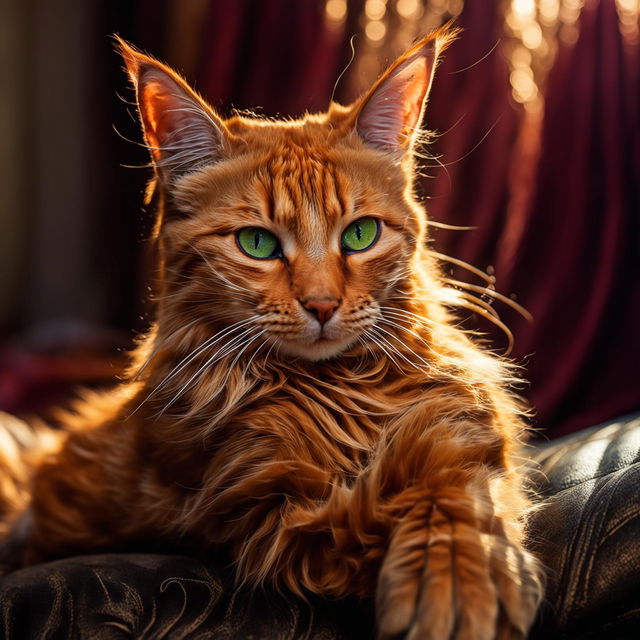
[183,133]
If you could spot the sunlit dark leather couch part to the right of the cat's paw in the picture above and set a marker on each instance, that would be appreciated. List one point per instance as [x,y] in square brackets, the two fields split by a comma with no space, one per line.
[588,533]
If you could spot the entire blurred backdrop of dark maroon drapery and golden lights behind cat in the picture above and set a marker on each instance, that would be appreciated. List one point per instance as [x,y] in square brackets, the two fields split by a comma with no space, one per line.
[537,107]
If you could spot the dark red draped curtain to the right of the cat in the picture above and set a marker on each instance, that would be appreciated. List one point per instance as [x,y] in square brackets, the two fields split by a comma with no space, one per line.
[571,254]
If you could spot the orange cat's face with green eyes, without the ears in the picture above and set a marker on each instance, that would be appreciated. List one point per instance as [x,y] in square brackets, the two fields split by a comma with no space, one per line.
[309,238]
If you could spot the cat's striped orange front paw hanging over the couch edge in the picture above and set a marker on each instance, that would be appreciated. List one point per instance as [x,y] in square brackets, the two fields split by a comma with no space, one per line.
[443,580]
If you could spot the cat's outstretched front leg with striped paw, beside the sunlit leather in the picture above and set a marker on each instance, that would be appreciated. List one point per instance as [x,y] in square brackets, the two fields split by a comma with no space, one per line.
[456,566]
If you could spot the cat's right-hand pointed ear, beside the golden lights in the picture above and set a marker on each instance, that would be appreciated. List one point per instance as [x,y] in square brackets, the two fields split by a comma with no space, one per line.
[389,115]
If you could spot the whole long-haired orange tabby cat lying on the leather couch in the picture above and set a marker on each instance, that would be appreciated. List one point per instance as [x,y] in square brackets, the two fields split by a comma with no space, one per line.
[314,411]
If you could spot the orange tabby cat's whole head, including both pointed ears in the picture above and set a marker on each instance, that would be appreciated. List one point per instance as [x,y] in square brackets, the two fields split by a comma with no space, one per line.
[295,233]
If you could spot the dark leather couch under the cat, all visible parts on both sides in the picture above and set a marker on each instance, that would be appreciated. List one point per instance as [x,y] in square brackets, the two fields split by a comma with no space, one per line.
[587,534]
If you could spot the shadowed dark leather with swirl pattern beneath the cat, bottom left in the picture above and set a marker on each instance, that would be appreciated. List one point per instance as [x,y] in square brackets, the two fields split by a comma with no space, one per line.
[152,596]
